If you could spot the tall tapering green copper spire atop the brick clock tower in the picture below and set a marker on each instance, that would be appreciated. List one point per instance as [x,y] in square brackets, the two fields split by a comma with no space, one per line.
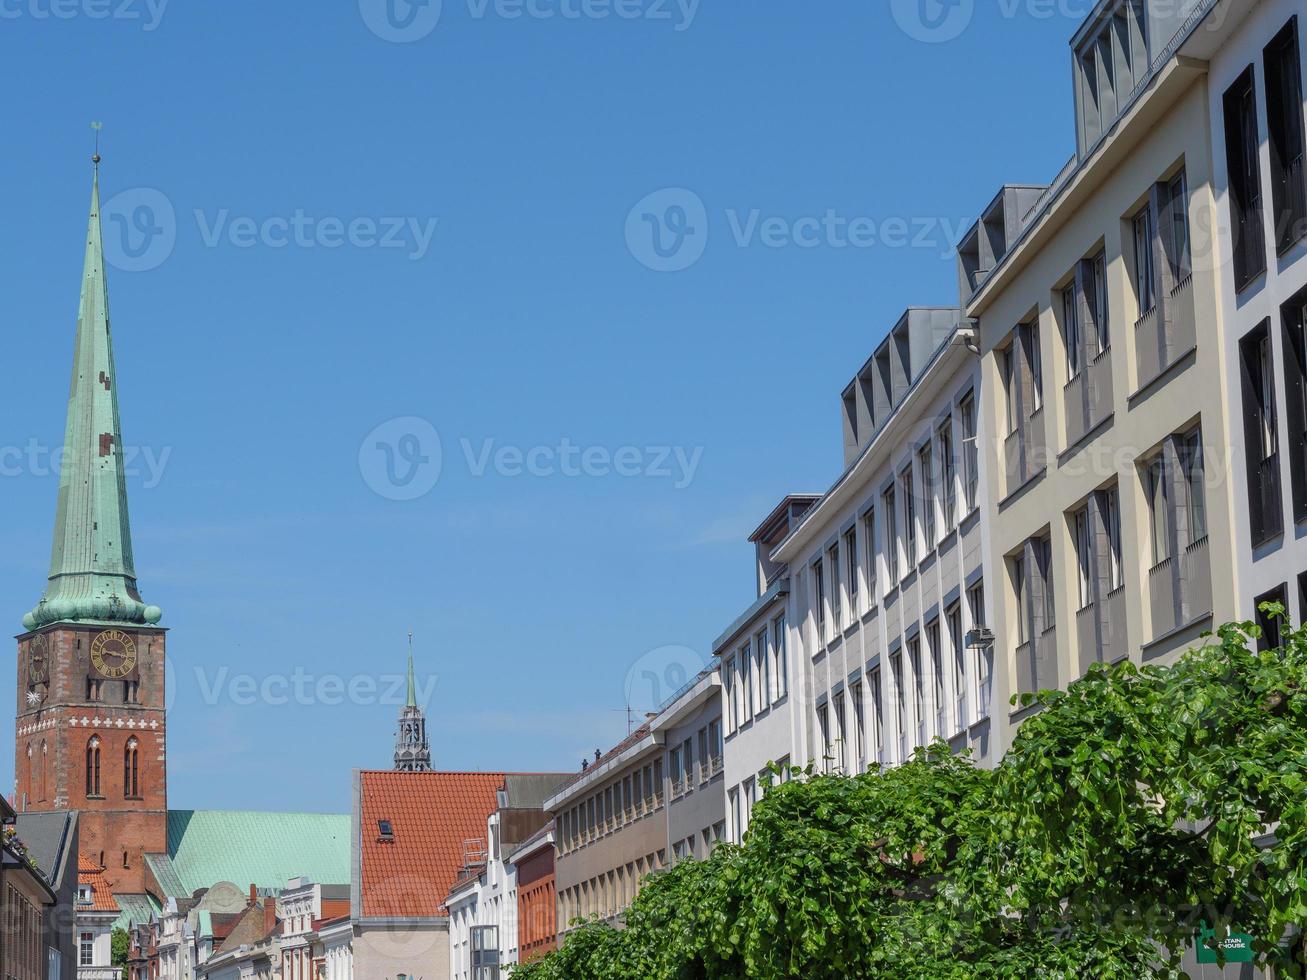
[92,573]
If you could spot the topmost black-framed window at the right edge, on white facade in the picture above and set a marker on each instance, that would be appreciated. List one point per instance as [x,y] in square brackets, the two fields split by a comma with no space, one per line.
[1285,135]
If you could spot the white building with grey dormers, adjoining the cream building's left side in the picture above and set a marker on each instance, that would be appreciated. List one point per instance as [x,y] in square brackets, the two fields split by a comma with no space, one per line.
[888,572]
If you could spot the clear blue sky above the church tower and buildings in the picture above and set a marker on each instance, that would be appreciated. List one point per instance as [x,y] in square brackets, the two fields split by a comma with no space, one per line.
[529,321]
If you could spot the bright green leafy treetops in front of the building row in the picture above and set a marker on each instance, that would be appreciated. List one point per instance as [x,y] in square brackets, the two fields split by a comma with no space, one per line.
[1133,809]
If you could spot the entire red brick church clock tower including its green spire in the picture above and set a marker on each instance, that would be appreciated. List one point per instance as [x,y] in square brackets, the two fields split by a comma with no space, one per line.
[91,721]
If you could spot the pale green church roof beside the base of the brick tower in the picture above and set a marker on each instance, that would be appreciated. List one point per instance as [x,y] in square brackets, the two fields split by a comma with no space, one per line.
[257,849]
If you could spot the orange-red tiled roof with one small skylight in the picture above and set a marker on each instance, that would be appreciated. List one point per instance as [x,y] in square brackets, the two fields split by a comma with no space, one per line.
[433,816]
